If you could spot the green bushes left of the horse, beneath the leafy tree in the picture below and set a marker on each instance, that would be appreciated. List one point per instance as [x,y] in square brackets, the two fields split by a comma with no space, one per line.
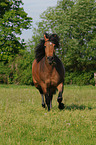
[18,71]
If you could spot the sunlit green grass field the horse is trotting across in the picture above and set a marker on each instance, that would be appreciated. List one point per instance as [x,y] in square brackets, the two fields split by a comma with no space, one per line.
[24,122]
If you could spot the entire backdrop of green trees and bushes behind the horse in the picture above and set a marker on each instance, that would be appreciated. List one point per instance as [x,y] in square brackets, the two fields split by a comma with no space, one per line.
[75,24]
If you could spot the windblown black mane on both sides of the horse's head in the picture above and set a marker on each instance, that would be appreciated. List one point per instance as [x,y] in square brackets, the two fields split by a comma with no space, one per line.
[40,49]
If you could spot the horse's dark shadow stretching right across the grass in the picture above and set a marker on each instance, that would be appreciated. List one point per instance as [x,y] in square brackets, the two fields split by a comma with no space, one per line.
[73,107]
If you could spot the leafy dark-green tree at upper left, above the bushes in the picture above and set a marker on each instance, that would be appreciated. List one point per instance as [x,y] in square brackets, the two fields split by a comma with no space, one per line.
[13,19]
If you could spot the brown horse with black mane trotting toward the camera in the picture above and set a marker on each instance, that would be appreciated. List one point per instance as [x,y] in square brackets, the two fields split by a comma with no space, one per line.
[48,71]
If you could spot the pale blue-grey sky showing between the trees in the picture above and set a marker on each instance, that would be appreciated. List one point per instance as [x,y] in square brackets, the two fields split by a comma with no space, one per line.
[34,8]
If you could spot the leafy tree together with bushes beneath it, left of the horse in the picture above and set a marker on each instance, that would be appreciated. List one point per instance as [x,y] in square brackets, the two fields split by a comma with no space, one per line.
[15,62]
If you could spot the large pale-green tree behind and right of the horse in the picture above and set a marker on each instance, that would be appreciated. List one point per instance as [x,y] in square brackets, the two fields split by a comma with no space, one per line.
[75,23]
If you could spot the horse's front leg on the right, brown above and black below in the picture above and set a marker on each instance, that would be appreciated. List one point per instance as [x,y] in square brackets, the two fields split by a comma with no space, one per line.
[59,99]
